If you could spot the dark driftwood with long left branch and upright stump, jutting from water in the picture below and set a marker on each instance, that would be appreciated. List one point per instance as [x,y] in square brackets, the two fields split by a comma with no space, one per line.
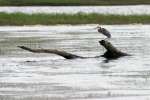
[111,52]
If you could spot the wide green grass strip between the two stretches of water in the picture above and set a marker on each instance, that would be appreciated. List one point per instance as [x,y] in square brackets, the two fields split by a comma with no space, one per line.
[80,18]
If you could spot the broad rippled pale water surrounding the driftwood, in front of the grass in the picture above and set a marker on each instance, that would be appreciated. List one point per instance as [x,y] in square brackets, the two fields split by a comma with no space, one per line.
[30,76]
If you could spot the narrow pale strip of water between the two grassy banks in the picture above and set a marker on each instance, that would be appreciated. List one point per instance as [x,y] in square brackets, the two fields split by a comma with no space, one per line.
[121,10]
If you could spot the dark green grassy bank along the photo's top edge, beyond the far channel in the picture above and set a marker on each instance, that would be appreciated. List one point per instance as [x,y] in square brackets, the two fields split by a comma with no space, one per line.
[70,2]
